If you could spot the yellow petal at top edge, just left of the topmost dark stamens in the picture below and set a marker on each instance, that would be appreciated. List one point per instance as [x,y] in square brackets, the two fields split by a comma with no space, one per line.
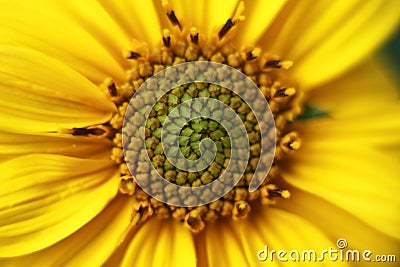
[138,19]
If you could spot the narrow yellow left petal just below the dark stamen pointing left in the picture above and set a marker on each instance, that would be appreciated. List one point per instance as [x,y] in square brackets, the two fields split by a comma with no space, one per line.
[14,145]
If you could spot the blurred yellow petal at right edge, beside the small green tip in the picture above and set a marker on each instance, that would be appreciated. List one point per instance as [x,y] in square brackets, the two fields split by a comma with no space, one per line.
[363,107]
